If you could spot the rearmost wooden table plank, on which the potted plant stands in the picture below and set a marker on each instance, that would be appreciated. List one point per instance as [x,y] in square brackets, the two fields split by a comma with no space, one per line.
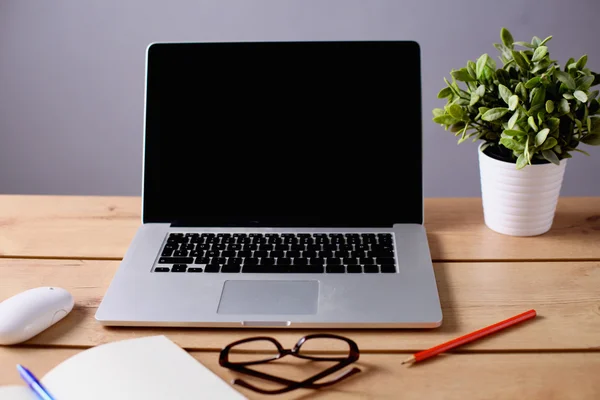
[102,227]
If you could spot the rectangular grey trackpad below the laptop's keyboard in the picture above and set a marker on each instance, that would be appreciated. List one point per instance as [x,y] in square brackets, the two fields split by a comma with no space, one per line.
[269,297]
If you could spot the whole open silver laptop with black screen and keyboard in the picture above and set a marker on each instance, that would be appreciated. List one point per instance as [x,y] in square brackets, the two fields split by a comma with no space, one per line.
[282,188]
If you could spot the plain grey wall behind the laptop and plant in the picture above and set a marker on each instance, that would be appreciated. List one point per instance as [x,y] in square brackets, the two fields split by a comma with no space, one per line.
[71,75]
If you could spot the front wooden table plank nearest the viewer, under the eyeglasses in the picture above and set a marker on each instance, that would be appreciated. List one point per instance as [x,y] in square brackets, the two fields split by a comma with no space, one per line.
[553,376]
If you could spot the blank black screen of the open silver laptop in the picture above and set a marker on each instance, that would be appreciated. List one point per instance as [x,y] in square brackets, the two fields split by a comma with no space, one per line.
[283,134]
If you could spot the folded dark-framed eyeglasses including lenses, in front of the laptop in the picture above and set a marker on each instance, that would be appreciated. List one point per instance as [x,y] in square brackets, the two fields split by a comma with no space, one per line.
[349,355]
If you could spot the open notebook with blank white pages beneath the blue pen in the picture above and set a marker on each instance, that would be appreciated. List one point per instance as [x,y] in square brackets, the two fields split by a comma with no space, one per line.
[149,368]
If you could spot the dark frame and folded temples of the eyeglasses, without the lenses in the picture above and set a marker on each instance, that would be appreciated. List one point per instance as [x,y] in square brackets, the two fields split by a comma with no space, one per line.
[309,383]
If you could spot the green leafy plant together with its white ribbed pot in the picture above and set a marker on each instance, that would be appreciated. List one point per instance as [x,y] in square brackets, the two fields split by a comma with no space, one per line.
[530,114]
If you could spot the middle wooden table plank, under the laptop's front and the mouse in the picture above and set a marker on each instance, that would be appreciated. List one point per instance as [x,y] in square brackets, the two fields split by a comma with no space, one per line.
[473,295]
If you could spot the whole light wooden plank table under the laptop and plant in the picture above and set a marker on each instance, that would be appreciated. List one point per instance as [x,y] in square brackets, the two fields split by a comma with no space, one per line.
[483,277]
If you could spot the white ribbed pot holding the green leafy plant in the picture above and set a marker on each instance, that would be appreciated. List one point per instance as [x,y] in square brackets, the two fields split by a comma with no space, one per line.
[519,202]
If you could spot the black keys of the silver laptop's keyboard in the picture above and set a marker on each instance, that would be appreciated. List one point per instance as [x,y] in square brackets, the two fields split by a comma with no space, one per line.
[350,253]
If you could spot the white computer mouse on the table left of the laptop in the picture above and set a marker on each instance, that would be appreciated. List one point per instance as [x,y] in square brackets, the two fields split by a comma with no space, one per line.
[28,313]
